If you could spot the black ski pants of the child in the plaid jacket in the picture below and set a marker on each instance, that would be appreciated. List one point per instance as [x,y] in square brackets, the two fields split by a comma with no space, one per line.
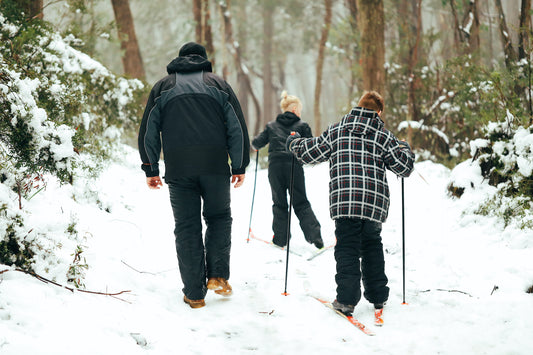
[359,252]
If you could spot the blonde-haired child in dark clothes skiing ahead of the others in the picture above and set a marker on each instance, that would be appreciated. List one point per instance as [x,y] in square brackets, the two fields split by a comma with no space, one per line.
[279,168]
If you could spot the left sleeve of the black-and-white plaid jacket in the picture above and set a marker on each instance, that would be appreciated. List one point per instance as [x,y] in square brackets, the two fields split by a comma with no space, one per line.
[312,150]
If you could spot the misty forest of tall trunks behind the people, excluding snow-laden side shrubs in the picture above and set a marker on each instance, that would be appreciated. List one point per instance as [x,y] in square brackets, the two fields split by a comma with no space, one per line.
[444,66]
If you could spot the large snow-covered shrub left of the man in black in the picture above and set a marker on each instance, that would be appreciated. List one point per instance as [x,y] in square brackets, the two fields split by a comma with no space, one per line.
[61,112]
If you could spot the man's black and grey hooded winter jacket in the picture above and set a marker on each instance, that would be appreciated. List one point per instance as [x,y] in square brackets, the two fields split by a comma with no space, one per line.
[196,118]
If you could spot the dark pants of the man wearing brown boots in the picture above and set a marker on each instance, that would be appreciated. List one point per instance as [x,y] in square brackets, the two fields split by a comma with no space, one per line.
[198,261]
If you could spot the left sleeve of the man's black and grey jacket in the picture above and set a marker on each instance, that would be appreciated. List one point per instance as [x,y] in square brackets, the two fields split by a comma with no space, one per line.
[149,140]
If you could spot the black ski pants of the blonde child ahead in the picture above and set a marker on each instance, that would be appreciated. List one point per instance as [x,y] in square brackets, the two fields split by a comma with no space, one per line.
[279,176]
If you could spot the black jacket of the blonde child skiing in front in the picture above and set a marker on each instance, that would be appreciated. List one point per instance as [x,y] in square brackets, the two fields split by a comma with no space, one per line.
[276,133]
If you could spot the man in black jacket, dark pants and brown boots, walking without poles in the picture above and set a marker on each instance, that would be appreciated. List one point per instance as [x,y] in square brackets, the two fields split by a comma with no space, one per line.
[195,117]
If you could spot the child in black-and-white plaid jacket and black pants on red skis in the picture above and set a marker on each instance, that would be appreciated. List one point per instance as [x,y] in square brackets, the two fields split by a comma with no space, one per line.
[359,150]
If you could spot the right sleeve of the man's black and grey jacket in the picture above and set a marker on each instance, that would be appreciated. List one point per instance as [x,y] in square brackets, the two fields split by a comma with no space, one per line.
[237,134]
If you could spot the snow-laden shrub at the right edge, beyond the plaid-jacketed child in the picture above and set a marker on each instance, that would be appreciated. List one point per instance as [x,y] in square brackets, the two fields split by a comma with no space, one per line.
[502,160]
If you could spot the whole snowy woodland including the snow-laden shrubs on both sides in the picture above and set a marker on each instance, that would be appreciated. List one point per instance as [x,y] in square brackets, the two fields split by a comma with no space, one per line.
[75,74]
